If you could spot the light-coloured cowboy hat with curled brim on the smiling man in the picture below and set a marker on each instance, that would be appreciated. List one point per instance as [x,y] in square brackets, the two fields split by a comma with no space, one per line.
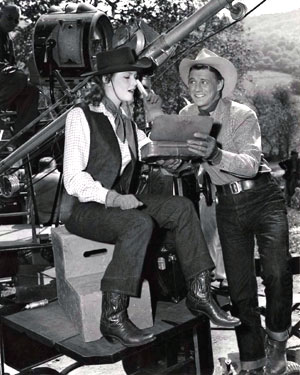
[222,65]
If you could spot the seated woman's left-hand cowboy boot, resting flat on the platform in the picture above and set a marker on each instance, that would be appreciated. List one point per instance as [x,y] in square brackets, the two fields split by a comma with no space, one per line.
[115,324]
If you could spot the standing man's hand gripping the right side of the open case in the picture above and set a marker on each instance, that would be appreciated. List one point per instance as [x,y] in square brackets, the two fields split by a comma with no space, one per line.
[206,147]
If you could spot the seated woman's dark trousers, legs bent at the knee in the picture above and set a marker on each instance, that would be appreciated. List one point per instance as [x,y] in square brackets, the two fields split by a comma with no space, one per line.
[131,231]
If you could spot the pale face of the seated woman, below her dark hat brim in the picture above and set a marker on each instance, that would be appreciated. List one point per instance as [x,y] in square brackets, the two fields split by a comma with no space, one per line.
[122,86]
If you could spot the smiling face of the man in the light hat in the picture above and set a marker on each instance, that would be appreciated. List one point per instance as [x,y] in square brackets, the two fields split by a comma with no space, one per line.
[204,87]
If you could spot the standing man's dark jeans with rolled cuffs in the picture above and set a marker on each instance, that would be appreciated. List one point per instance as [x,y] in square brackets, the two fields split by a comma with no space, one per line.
[256,216]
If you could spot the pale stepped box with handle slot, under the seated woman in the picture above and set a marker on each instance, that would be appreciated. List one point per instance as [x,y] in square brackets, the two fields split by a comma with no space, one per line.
[80,265]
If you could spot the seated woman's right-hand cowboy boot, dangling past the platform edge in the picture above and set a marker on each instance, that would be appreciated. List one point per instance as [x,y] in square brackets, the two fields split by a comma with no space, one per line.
[200,300]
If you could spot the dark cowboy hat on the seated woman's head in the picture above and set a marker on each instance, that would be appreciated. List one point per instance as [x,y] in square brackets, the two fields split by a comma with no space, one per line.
[121,59]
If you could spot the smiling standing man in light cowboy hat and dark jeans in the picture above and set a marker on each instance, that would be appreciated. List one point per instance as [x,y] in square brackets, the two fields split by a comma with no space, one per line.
[250,206]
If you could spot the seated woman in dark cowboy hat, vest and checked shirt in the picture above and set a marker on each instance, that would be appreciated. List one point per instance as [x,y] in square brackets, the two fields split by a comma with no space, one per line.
[102,147]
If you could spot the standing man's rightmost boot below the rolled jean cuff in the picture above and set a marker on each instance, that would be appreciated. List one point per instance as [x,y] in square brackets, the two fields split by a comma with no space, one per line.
[276,356]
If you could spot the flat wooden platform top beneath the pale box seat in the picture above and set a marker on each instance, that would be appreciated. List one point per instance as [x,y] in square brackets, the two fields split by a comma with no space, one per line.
[50,326]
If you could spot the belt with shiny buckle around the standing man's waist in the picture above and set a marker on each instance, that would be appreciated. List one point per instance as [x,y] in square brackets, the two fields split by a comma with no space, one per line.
[243,185]
